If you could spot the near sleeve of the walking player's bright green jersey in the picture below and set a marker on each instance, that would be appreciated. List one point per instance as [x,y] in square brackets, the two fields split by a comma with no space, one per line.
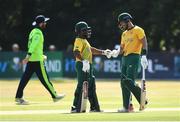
[35,38]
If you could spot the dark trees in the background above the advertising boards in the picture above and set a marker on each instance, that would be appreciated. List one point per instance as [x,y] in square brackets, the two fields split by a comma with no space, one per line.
[160,20]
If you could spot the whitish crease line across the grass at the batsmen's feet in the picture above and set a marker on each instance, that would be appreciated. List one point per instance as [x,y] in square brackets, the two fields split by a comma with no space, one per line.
[68,111]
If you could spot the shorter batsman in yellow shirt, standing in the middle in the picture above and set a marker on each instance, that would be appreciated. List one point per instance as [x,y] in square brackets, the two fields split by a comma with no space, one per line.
[83,53]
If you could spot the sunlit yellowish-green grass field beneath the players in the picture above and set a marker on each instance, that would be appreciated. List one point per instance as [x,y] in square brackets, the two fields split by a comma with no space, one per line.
[164,102]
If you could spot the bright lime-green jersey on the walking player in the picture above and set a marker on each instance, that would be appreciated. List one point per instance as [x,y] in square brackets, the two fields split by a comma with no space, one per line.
[35,45]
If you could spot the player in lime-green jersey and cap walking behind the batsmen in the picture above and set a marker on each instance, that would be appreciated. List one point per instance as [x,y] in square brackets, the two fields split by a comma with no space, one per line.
[35,62]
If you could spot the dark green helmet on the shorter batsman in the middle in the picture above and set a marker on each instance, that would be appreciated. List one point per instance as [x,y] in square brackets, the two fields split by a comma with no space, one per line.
[82,29]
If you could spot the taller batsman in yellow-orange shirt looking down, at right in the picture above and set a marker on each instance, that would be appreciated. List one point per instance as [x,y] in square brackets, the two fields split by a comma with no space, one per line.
[133,44]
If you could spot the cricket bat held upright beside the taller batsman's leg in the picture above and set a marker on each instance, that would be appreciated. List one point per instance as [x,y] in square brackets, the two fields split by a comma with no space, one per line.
[143,91]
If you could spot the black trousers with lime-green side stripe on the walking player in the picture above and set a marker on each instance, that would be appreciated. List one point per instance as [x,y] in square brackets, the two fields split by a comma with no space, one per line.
[37,67]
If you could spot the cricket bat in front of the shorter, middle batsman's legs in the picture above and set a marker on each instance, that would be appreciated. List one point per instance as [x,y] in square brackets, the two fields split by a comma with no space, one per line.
[84,96]
